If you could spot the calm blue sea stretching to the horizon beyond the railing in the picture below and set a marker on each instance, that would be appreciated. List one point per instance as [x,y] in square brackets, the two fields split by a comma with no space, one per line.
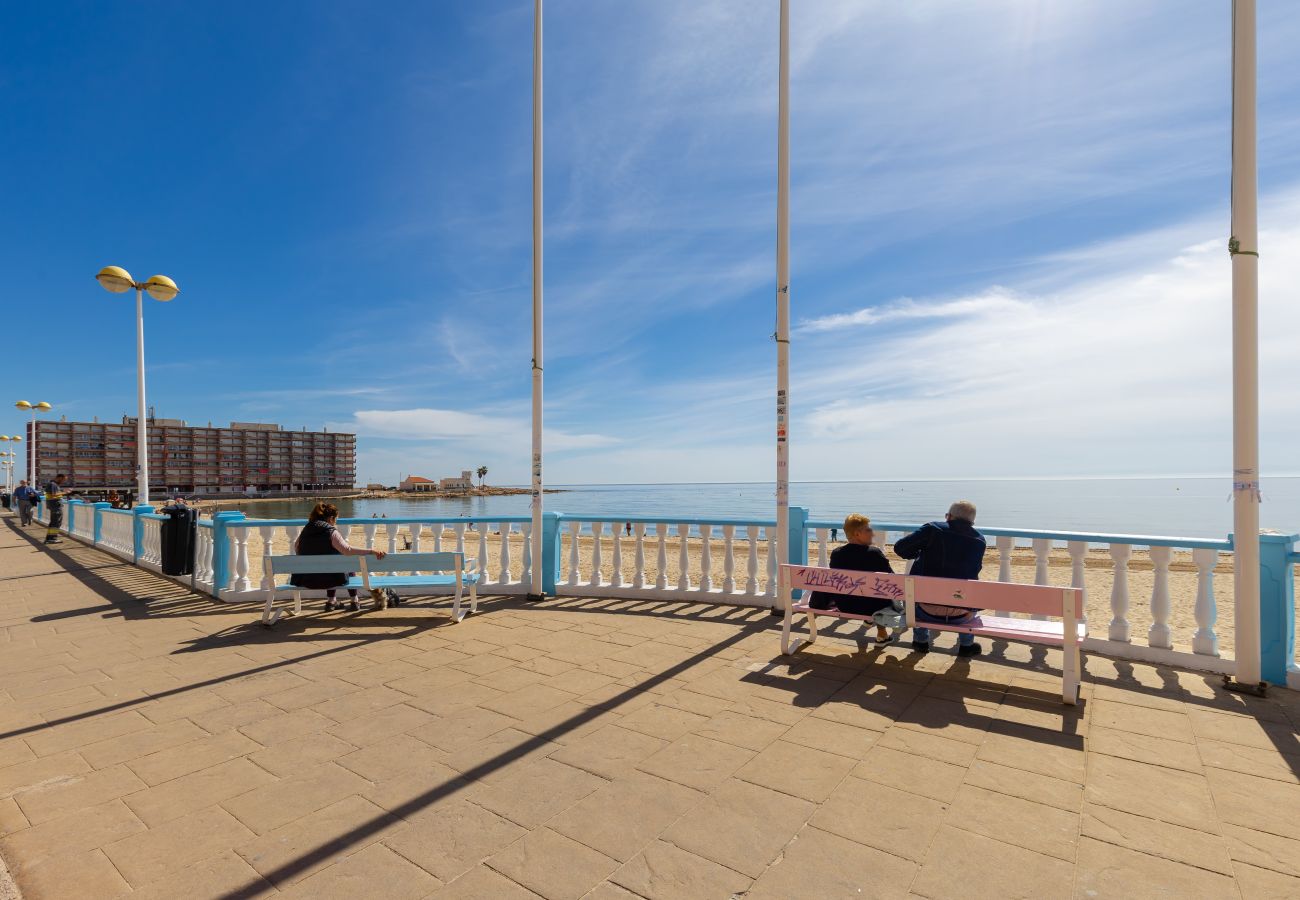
[1165,507]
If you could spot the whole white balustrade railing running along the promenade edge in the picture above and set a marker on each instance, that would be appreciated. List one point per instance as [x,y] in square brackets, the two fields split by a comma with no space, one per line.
[725,561]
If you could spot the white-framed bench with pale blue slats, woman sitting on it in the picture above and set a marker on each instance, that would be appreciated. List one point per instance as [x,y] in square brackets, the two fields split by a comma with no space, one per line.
[398,573]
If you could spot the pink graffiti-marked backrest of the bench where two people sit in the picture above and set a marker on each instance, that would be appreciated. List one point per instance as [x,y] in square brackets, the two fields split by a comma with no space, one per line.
[1034,599]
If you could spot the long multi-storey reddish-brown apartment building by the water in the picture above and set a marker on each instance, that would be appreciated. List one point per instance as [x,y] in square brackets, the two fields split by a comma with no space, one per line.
[194,460]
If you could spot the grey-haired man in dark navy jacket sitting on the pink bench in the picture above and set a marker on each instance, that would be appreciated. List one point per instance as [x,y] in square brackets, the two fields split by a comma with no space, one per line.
[950,549]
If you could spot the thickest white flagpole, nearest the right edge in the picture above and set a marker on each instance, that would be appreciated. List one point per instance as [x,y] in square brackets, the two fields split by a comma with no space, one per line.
[1243,248]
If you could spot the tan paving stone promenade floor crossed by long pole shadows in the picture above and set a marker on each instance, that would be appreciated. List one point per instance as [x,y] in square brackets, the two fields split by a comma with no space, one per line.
[155,743]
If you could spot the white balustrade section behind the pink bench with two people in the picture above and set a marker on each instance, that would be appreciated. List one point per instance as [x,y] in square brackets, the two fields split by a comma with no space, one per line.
[1098,562]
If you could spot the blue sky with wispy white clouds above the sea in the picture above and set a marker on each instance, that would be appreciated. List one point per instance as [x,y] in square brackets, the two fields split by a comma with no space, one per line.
[1008,231]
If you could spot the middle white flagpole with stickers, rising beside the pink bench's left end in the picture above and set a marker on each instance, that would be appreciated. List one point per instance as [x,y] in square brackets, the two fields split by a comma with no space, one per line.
[783,308]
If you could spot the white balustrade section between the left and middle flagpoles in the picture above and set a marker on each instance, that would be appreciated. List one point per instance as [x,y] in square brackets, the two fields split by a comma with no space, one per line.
[609,557]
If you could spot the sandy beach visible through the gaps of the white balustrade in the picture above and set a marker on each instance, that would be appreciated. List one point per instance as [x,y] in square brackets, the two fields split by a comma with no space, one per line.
[1099,573]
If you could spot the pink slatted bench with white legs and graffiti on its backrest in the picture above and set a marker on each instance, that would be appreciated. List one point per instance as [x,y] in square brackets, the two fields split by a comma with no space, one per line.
[1065,605]
